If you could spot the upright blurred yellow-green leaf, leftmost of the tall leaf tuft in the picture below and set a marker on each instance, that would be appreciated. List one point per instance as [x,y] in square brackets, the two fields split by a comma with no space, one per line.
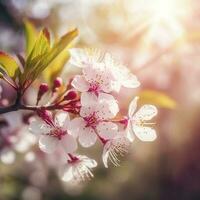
[30,35]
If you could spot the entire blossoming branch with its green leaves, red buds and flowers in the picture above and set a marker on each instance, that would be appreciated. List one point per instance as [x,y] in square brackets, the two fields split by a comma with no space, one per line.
[82,110]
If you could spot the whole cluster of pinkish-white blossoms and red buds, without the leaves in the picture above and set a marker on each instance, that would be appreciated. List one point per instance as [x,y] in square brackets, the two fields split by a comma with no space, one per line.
[90,113]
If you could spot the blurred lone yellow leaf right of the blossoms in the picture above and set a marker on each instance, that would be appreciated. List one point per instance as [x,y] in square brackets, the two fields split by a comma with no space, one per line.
[156,98]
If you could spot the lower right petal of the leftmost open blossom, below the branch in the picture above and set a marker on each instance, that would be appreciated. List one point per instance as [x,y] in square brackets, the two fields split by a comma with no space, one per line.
[69,143]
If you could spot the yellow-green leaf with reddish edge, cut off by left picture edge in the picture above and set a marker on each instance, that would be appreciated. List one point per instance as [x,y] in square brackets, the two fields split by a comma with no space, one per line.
[8,64]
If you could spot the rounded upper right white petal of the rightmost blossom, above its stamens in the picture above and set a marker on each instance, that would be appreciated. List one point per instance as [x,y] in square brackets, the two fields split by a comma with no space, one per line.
[146,112]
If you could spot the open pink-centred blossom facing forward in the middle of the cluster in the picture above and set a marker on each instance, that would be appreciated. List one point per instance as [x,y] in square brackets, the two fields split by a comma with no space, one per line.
[95,113]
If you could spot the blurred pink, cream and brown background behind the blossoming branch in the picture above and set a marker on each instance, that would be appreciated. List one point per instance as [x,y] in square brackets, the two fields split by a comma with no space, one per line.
[159,40]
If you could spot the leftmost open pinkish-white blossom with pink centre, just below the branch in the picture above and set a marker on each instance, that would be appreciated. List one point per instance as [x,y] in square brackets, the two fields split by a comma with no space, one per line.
[56,135]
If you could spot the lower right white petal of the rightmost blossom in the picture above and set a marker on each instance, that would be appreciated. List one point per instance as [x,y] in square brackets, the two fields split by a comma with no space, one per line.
[145,134]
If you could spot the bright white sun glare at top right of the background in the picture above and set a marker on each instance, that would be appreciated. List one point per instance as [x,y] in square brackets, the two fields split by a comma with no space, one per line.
[165,18]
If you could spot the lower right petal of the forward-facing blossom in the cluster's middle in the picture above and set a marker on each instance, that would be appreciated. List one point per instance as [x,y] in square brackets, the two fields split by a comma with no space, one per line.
[107,130]
